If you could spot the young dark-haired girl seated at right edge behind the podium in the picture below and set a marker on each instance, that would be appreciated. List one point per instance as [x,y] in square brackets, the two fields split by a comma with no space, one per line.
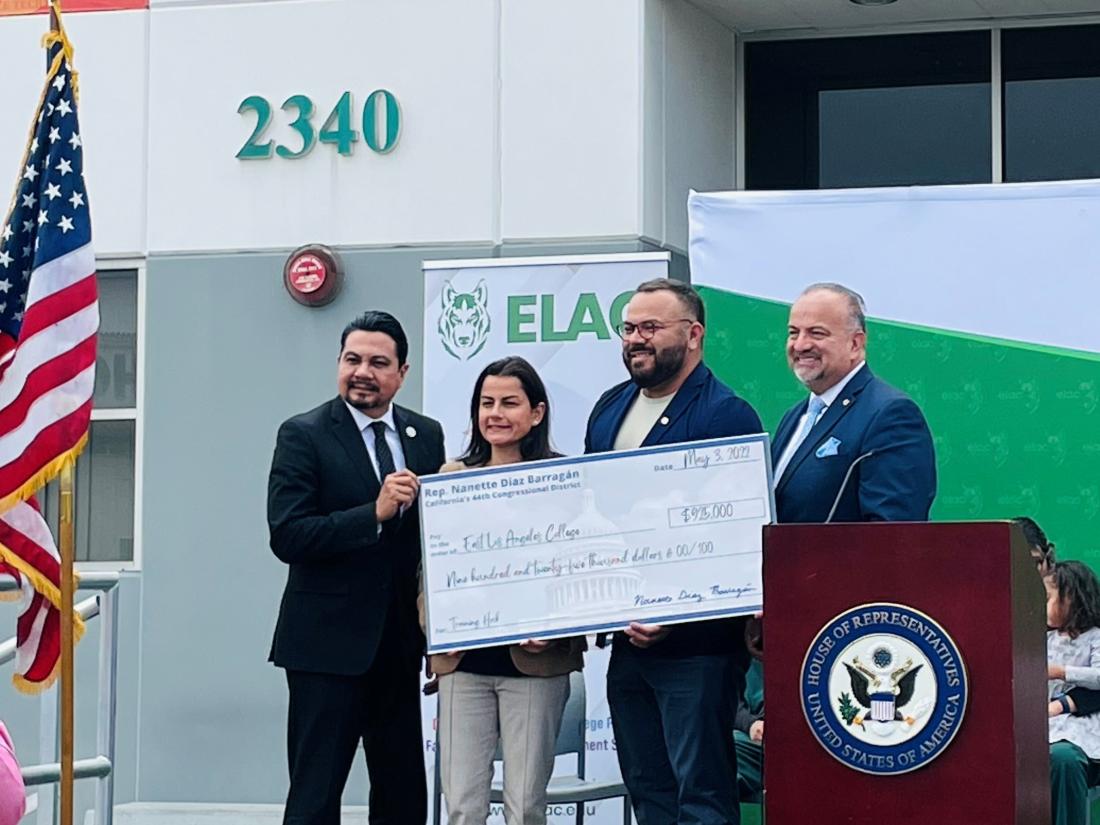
[1073,656]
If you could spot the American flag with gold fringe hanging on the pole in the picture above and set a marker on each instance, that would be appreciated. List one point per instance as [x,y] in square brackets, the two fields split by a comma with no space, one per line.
[49,317]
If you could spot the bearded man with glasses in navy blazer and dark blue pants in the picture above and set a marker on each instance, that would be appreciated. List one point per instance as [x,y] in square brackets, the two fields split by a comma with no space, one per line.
[673,691]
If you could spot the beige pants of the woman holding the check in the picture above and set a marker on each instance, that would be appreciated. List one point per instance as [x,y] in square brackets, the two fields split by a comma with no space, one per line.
[476,711]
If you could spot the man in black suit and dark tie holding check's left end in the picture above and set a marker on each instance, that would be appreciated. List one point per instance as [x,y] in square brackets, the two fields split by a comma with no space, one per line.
[342,508]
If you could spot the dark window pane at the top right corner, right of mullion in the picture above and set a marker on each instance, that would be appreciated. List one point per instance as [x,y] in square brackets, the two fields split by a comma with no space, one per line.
[1052,103]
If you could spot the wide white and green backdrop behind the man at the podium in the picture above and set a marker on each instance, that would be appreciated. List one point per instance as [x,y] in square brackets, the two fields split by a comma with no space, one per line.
[982,304]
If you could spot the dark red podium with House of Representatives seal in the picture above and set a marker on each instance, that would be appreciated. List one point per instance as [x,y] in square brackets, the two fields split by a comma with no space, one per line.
[870,716]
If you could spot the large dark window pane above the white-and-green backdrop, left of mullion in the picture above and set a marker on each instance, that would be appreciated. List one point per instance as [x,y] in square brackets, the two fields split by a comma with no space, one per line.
[868,112]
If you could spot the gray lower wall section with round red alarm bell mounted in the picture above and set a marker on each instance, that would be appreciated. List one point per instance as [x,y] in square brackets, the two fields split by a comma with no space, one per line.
[229,357]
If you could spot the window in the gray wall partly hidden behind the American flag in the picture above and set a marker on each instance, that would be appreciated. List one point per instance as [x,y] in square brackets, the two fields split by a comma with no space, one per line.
[106,472]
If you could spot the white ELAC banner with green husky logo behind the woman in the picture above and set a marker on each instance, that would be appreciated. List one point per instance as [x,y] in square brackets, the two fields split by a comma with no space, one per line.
[559,314]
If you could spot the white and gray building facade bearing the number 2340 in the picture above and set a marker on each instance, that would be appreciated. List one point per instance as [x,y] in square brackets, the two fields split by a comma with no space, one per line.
[222,136]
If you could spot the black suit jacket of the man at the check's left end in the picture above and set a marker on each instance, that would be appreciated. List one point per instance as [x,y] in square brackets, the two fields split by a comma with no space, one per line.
[345,578]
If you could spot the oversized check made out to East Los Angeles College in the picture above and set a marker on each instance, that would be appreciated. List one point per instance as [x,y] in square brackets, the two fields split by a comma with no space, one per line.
[566,547]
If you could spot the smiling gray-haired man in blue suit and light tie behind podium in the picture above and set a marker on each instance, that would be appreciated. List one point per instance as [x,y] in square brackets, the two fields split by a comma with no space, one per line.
[857,449]
